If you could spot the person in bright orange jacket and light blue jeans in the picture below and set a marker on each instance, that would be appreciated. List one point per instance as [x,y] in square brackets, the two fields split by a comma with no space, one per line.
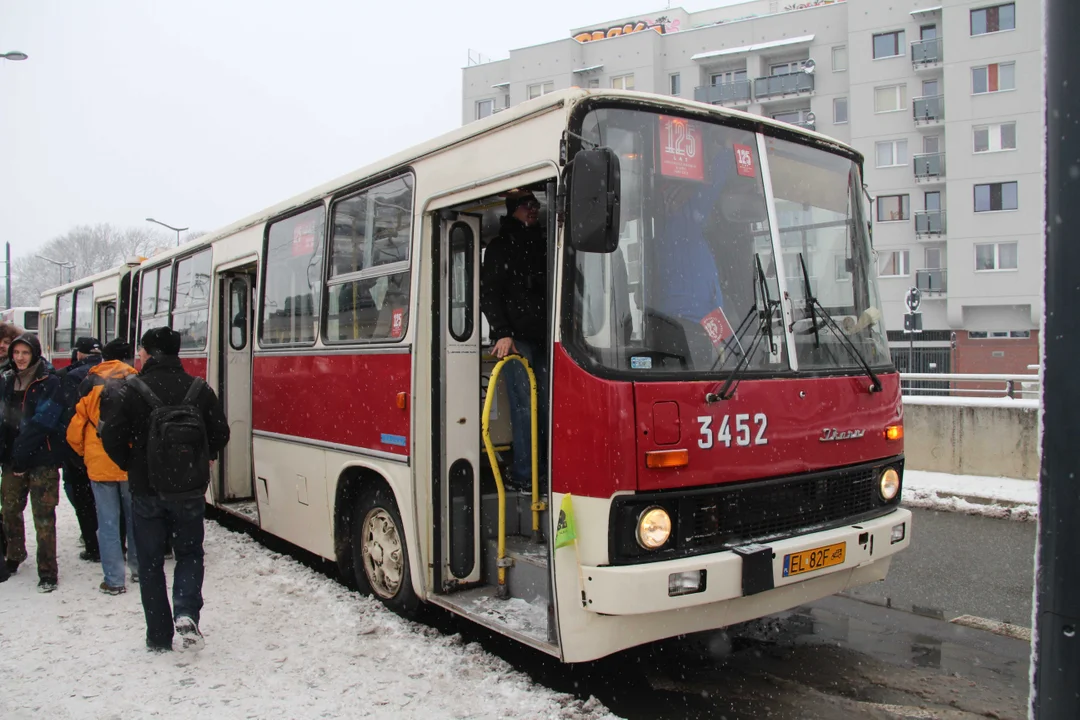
[110,484]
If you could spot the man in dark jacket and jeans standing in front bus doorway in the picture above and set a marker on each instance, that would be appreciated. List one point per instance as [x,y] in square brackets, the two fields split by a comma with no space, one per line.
[514,298]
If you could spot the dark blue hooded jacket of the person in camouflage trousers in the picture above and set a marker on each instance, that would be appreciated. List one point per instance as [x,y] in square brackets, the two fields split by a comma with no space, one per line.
[33,437]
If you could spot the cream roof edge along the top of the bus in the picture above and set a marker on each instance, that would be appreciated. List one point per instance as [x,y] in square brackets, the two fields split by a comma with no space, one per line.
[537,106]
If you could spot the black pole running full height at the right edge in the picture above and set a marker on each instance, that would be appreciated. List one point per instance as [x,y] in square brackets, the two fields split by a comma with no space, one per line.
[1057,692]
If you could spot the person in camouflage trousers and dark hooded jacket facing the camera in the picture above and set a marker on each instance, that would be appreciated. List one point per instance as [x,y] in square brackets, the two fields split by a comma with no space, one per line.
[31,406]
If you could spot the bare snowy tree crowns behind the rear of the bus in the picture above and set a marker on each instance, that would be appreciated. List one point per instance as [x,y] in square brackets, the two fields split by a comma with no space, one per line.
[87,251]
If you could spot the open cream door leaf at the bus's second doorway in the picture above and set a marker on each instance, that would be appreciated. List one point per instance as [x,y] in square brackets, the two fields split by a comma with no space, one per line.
[236,479]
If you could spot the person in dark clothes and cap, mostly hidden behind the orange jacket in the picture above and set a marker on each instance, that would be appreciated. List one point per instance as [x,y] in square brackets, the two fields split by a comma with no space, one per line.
[86,356]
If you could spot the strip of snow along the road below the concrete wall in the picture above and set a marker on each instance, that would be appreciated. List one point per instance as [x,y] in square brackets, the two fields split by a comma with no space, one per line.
[992,497]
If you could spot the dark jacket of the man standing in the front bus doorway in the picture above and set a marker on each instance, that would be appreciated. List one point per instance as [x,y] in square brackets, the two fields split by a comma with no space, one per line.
[515,283]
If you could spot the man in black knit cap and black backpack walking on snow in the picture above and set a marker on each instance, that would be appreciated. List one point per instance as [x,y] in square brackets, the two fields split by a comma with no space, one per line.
[165,428]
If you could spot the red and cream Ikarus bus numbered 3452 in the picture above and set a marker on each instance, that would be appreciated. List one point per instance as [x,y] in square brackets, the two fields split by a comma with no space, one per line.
[726,429]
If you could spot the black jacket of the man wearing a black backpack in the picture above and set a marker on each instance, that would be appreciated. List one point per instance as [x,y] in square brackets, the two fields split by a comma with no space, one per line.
[126,417]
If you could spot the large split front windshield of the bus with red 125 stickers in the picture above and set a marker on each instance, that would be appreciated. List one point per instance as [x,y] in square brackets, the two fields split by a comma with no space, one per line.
[696,284]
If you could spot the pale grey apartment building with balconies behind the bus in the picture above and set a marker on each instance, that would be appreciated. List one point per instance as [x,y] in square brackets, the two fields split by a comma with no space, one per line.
[943,98]
